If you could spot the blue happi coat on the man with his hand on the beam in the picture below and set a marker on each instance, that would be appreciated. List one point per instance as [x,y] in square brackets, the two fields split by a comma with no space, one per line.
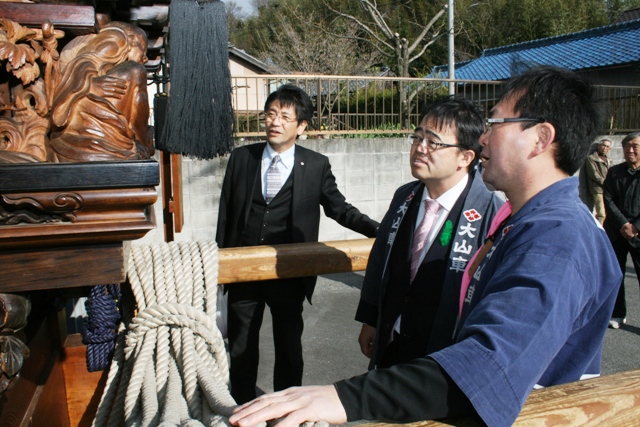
[537,307]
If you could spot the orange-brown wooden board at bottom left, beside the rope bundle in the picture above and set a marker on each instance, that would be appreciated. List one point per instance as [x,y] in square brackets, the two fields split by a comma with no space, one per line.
[84,388]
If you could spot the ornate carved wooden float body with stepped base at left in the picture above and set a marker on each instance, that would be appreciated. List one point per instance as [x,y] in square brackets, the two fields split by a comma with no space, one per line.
[65,207]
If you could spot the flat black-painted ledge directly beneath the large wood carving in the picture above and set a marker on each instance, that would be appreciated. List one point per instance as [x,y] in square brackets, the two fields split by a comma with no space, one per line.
[28,177]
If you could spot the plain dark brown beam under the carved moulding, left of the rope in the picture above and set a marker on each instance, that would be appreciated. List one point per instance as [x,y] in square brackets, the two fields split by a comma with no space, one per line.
[61,267]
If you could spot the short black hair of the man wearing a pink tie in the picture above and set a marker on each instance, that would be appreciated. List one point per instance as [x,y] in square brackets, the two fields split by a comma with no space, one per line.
[461,115]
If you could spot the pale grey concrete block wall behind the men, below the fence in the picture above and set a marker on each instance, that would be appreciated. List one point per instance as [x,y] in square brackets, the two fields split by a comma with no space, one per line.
[367,171]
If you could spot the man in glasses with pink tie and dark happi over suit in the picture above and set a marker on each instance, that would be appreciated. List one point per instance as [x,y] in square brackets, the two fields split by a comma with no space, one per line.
[409,299]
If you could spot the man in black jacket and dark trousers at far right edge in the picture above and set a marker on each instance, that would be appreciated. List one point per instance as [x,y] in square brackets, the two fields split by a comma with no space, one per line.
[622,201]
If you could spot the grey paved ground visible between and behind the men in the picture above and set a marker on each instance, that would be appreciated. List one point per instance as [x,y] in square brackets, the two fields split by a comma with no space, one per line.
[330,337]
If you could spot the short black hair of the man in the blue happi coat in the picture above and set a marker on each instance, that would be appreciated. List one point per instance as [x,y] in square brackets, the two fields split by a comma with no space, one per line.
[565,100]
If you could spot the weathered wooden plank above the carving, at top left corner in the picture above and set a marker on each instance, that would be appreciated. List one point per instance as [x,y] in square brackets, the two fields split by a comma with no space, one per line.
[65,16]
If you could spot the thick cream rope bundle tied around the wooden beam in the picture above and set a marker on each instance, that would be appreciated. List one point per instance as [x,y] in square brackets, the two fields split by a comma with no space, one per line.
[170,365]
